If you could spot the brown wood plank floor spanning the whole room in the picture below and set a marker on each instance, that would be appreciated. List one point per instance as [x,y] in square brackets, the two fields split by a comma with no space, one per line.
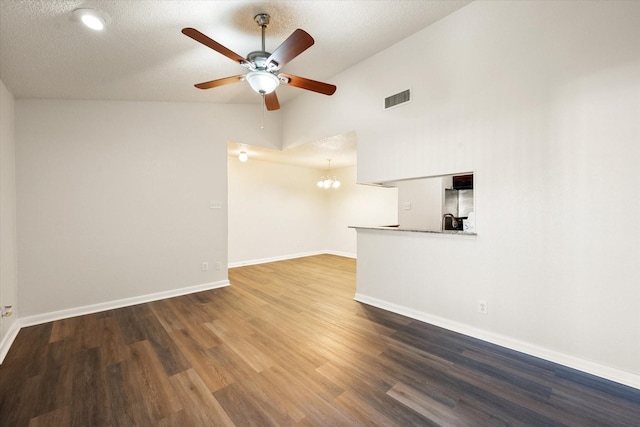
[286,345]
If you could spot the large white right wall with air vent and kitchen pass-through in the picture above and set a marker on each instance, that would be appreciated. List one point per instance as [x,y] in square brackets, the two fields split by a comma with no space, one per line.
[541,100]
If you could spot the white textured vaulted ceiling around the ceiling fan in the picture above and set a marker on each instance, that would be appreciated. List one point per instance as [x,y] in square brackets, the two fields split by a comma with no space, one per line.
[143,56]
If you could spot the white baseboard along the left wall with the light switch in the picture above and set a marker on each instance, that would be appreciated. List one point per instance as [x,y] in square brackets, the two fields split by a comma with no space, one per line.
[110,305]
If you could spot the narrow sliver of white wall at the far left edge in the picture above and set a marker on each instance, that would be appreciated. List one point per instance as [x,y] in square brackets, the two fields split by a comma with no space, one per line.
[8,243]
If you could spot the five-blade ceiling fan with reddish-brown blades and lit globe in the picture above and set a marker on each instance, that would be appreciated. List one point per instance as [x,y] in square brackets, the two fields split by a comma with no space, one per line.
[263,76]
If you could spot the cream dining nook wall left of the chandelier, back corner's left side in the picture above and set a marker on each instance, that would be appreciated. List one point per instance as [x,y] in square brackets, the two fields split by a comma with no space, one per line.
[275,212]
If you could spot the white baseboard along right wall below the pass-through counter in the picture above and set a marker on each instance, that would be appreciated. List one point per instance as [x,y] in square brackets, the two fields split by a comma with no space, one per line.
[606,372]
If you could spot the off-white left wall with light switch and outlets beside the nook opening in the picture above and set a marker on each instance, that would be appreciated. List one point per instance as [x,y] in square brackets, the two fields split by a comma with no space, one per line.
[114,198]
